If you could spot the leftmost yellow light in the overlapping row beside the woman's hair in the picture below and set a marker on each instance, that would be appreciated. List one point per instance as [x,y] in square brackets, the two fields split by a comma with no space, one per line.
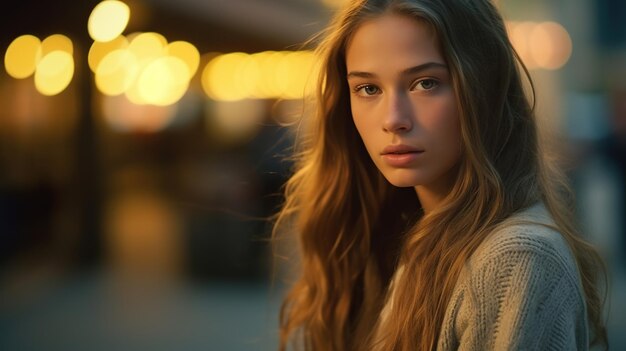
[219,77]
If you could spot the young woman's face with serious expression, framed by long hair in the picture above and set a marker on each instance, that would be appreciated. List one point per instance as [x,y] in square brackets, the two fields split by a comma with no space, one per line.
[403,103]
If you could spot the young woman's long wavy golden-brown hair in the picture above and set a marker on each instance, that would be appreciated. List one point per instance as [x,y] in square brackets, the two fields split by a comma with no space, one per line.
[354,228]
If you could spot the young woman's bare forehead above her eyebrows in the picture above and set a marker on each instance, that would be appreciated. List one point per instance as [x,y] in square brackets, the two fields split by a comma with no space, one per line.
[392,41]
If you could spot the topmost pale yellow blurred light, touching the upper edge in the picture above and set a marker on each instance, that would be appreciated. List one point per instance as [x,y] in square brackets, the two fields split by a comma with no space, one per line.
[108,20]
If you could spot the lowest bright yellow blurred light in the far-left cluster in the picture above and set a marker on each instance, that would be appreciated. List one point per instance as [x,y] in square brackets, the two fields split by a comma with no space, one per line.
[54,72]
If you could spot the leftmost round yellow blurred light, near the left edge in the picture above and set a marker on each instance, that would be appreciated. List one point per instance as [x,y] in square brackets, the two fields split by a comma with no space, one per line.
[20,59]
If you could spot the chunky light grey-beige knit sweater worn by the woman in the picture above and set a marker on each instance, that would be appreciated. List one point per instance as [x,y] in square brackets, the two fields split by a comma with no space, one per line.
[520,290]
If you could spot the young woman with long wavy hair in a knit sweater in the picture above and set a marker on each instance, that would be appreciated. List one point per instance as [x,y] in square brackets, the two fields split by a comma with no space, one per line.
[426,215]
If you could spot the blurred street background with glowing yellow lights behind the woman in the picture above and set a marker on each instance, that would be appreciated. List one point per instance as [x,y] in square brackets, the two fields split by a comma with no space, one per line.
[143,145]
